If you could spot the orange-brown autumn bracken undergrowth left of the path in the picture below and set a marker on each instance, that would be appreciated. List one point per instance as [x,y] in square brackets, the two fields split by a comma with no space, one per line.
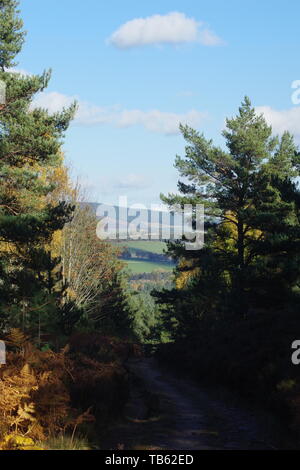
[48,398]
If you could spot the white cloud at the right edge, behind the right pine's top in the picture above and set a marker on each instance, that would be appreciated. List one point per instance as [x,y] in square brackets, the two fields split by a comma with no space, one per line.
[284,120]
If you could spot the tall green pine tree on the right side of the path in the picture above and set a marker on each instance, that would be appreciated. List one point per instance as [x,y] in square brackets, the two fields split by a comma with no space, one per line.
[239,188]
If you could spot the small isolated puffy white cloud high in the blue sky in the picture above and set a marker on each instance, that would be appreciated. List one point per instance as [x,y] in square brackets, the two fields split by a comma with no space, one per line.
[172,28]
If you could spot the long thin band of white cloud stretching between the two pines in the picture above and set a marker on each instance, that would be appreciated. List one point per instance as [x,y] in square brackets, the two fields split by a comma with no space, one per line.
[88,114]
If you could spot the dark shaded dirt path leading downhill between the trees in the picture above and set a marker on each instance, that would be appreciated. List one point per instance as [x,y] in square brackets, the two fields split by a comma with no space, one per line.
[166,412]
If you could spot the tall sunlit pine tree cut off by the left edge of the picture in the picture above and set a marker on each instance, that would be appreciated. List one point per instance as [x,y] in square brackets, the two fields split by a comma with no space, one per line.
[30,149]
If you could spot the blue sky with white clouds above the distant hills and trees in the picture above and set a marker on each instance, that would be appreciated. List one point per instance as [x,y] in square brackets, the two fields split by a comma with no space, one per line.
[137,69]
